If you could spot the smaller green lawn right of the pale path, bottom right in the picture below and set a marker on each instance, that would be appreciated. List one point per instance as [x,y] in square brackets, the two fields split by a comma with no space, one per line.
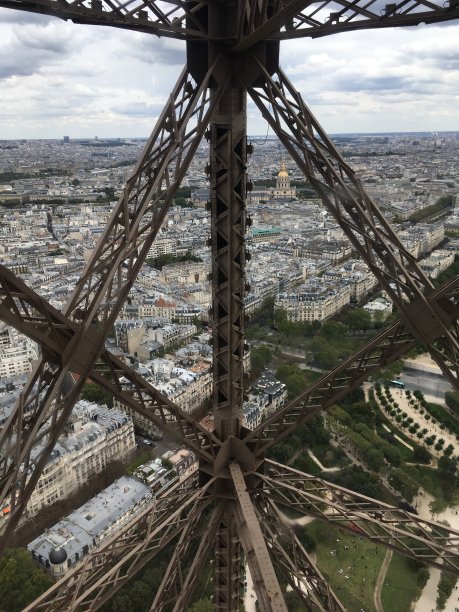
[399,589]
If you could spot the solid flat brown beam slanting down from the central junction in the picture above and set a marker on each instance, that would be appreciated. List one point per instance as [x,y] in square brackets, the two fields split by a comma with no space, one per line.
[264,577]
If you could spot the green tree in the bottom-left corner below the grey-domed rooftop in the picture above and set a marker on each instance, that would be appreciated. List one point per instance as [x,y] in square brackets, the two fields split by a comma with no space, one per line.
[21,581]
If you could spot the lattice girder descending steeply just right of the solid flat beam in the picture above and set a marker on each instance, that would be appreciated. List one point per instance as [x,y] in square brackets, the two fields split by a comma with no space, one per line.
[294,562]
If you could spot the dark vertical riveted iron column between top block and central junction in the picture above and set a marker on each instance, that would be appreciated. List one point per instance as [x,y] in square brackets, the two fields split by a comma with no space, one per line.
[228,192]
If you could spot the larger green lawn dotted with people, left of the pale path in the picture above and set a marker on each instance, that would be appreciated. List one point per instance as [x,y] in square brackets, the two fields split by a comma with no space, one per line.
[361,562]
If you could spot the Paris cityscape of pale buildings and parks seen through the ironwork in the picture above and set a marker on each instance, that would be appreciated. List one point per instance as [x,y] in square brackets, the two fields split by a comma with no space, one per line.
[312,301]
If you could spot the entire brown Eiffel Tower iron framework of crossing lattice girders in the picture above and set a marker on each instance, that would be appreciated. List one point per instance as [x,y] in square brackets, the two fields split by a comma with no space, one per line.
[232,511]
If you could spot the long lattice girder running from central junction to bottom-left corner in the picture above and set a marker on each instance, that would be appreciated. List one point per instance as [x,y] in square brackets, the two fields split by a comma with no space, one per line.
[106,569]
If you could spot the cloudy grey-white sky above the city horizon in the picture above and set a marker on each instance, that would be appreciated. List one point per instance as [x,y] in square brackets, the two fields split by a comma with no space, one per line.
[58,78]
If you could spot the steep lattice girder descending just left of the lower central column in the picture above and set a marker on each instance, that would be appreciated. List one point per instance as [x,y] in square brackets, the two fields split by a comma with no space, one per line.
[187,562]
